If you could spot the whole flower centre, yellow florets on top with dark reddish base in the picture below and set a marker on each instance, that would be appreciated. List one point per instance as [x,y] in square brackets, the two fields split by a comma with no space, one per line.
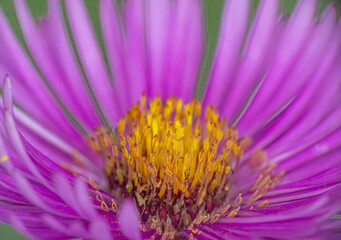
[176,163]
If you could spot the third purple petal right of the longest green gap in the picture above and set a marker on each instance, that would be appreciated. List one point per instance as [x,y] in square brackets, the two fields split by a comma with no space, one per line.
[290,48]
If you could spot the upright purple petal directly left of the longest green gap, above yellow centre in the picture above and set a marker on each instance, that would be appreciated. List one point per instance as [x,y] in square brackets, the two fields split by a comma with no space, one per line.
[185,49]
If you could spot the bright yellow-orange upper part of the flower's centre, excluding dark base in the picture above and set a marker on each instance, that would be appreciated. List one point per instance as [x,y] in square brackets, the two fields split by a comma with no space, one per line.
[170,145]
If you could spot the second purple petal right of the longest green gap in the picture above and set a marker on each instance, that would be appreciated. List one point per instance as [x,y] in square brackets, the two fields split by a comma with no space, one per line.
[258,54]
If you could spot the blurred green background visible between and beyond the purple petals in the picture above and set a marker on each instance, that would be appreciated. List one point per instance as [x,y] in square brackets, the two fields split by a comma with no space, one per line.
[212,10]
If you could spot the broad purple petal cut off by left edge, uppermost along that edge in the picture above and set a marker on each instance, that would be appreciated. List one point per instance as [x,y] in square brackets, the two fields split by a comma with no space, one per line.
[29,90]
